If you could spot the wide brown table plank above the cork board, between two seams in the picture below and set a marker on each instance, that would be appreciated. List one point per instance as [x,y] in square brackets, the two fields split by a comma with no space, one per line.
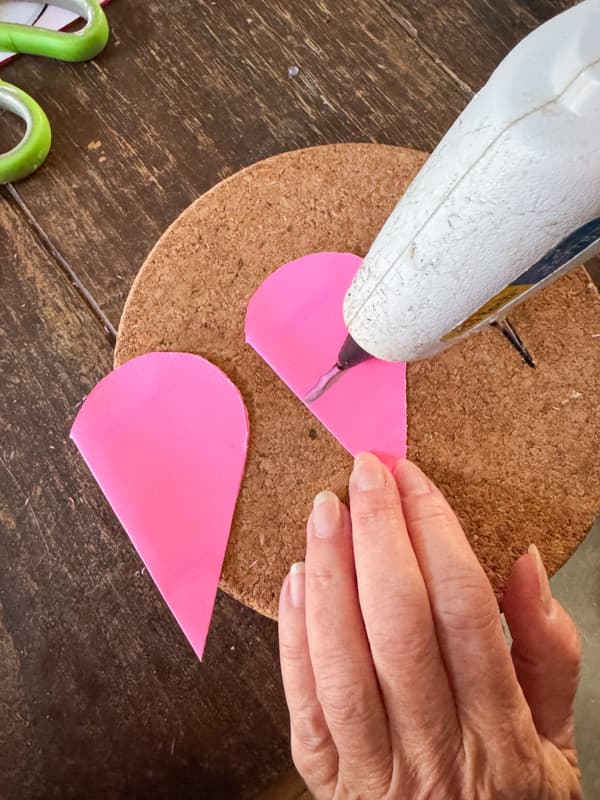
[184,97]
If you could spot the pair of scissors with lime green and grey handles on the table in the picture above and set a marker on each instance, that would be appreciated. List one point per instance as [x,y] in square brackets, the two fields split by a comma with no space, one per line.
[81,45]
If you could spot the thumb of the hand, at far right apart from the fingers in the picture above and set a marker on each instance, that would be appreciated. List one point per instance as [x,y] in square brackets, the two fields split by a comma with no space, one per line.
[546,650]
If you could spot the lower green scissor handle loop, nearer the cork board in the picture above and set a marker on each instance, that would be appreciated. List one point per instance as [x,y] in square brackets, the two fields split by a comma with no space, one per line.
[33,148]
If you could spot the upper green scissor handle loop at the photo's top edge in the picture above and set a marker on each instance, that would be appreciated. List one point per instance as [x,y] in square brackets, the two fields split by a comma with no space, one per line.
[79,46]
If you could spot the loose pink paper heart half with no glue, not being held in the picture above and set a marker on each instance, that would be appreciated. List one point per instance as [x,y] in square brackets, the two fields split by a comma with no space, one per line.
[165,435]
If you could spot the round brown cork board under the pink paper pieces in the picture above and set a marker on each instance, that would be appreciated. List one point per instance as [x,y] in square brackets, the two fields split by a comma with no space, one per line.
[514,449]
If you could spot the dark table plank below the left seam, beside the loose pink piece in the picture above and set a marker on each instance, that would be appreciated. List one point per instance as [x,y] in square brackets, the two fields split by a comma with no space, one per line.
[100,694]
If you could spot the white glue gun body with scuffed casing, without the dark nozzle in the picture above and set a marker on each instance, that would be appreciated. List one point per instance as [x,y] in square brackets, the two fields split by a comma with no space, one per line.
[509,200]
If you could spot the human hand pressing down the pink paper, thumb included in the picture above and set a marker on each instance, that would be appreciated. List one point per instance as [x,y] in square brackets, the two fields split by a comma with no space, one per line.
[398,677]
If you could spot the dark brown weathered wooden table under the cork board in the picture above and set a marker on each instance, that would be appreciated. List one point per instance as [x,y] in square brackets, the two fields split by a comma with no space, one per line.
[100,696]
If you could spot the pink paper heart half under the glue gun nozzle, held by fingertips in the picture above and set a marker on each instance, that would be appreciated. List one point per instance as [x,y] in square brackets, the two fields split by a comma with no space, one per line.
[295,322]
